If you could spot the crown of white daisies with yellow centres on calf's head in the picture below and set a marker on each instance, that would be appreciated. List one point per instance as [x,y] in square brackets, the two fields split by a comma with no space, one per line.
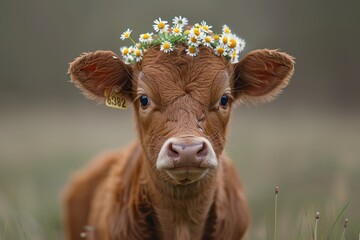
[226,44]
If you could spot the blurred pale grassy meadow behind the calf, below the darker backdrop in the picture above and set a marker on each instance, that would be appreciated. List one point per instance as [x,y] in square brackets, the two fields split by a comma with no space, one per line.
[312,156]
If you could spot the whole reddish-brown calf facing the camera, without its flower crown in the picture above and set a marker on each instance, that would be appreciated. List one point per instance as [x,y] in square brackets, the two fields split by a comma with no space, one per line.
[175,182]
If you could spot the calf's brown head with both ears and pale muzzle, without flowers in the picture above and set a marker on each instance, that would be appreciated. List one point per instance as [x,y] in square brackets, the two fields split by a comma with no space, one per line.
[182,104]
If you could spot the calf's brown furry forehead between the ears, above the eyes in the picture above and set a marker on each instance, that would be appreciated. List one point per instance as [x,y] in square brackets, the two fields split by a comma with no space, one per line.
[167,77]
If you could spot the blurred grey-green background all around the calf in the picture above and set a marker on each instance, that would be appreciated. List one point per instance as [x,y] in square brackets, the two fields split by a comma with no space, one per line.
[307,141]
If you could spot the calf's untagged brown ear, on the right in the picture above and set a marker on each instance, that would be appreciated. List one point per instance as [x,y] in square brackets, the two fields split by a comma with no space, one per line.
[261,75]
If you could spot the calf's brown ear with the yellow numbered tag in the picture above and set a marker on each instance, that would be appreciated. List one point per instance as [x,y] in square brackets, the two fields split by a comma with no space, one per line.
[96,72]
